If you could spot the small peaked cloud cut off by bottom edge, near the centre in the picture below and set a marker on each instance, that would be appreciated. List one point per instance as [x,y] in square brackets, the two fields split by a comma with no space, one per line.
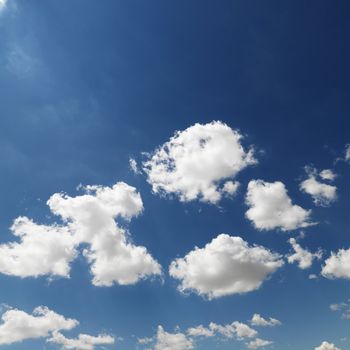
[172,341]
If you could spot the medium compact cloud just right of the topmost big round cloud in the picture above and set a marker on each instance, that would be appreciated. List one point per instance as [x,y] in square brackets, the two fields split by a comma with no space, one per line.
[271,208]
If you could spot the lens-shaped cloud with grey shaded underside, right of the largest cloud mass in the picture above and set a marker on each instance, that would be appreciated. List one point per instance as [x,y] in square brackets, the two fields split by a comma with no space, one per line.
[227,265]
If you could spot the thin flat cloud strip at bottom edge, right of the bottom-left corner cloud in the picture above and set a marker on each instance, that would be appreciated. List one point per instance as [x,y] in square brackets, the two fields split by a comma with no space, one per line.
[83,342]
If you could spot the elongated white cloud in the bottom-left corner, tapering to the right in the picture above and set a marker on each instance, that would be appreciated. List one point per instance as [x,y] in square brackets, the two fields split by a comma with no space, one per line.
[17,325]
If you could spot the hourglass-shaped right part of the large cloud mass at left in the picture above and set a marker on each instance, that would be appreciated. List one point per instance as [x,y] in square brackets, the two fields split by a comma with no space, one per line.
[92,219]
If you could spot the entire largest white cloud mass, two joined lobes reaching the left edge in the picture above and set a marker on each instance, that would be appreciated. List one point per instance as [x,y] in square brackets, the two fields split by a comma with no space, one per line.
[88,219]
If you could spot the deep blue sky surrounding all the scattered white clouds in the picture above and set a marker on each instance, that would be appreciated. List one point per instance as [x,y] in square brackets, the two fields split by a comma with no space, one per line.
[88,85]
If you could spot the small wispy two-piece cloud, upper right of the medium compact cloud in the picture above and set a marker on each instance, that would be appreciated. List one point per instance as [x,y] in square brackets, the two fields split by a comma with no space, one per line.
[322,194]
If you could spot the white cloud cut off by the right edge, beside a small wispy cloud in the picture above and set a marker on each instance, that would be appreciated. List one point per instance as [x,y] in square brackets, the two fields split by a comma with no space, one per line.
[337,265]
